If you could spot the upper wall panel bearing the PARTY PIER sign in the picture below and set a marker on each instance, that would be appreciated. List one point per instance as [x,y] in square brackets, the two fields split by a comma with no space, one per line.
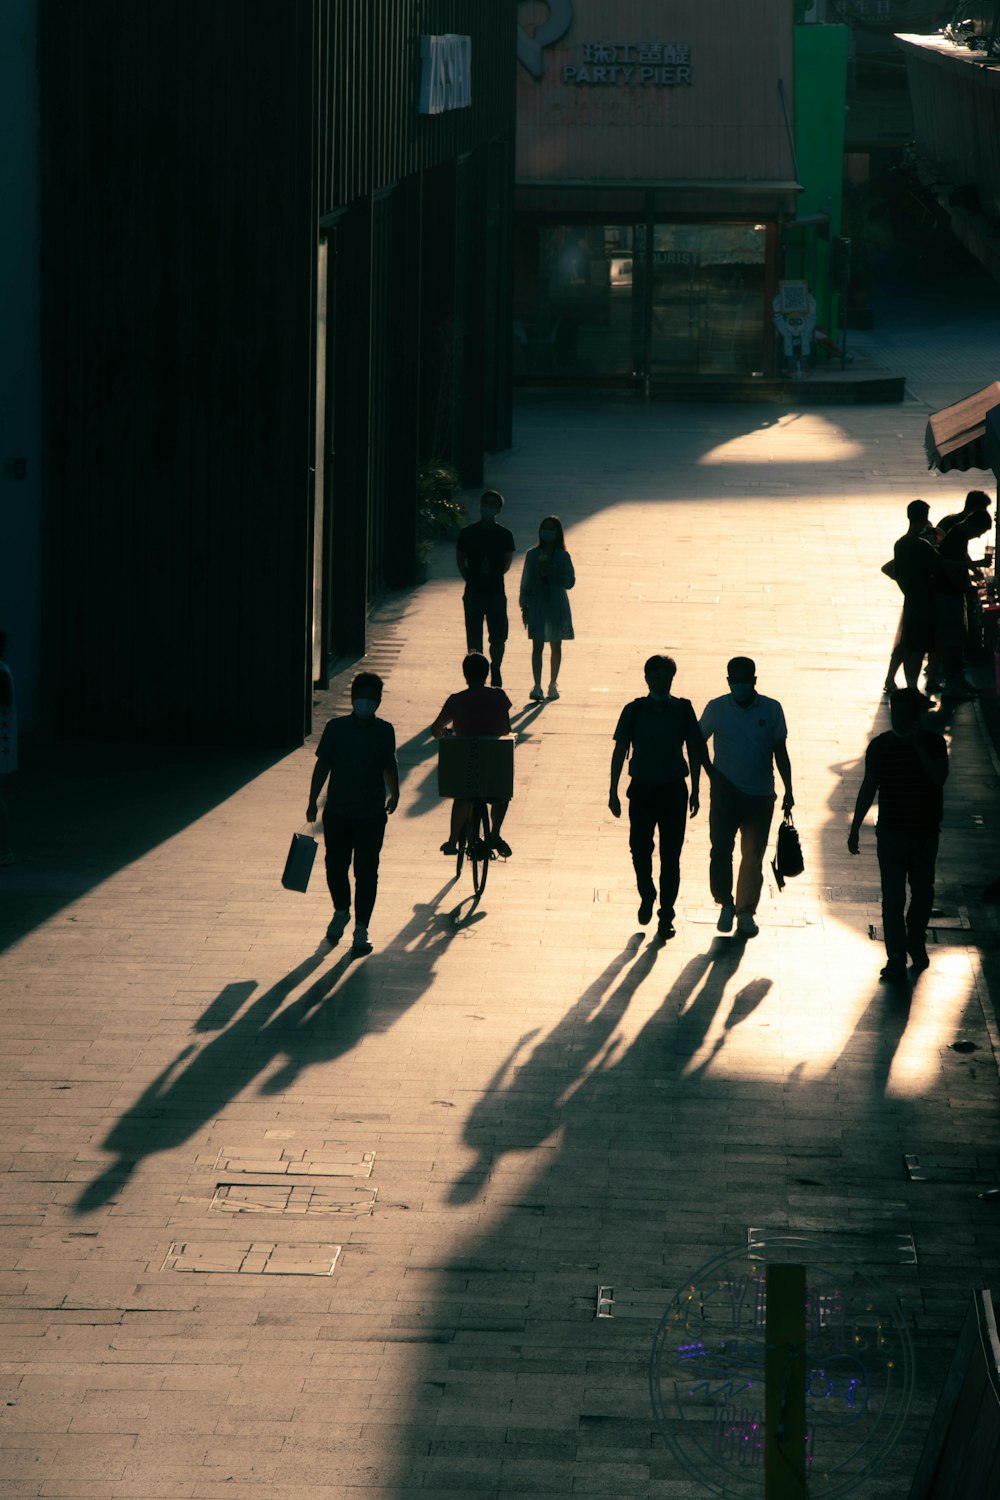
[728,124]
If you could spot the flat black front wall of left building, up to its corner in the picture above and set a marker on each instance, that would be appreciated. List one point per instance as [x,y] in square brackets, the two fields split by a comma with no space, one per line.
[178,278]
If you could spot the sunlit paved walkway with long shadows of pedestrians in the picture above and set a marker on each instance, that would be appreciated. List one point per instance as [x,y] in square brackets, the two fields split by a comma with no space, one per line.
[494,1117]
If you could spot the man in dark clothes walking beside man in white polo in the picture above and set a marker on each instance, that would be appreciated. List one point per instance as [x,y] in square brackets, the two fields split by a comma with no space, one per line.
[659,728]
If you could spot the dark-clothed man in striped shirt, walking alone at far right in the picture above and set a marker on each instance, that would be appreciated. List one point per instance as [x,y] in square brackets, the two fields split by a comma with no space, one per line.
[906,769]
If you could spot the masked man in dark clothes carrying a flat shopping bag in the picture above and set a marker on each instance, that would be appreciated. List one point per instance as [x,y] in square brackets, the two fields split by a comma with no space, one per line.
[358,758]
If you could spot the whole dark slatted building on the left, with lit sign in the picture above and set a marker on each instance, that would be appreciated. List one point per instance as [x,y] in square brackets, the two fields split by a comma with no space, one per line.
[272,287]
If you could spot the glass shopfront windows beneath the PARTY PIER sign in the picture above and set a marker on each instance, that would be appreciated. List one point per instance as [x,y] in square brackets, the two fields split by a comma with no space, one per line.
[587,304]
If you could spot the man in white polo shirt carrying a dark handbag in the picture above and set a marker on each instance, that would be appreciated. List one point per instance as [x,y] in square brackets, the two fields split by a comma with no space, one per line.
[750,740]
